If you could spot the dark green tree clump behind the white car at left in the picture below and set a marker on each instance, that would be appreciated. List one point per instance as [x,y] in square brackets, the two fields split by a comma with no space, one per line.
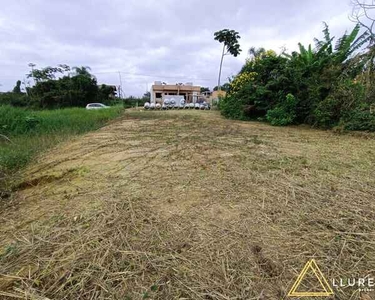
[59,87]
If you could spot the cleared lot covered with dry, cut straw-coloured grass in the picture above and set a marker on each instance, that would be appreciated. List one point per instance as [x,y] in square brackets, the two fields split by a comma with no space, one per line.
[187,205]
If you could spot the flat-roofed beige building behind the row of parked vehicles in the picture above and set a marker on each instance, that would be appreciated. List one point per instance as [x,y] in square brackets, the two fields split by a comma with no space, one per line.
[161,90]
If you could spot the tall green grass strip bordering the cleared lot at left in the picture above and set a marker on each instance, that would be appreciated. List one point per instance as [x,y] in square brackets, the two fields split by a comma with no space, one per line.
[31,132]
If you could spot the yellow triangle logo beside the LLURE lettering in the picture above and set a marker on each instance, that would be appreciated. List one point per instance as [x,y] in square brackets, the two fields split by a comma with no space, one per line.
[309,273]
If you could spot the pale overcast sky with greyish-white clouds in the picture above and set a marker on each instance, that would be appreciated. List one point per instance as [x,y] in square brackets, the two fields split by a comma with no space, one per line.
[148,40]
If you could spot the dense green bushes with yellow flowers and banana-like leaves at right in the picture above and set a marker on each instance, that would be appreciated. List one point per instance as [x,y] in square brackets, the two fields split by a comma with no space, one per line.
[328,86]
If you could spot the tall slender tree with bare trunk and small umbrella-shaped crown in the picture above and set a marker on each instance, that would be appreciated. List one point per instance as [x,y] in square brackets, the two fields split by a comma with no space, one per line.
[229,38]
